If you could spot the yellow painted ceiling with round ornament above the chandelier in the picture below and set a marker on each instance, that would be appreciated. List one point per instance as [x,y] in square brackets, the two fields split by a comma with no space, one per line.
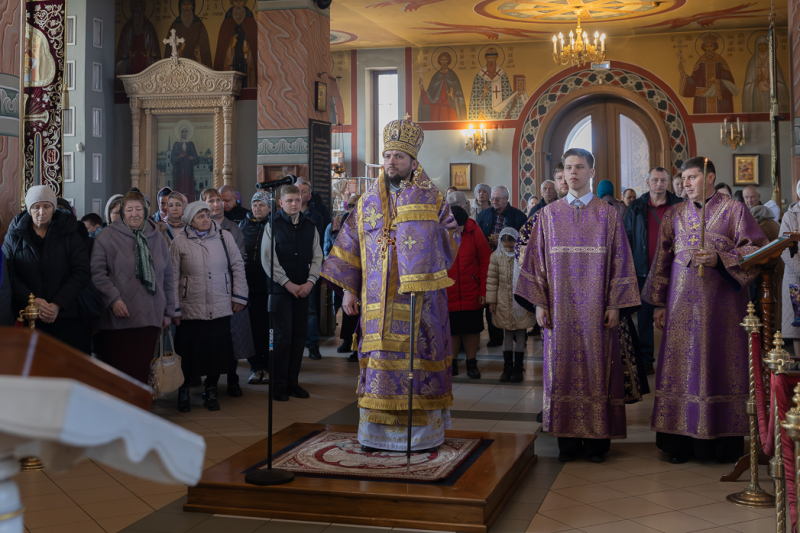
[401,23]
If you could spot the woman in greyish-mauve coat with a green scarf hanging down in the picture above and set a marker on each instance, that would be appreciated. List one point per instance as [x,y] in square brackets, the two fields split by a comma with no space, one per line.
[132,270]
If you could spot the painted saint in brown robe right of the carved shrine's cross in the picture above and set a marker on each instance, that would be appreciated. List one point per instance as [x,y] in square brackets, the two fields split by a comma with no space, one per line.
[238,43]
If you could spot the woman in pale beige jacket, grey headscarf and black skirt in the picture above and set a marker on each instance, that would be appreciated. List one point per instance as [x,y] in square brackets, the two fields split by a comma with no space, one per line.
[210,286]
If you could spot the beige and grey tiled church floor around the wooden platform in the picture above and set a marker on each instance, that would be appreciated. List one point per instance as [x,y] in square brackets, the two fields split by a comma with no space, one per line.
[634,491]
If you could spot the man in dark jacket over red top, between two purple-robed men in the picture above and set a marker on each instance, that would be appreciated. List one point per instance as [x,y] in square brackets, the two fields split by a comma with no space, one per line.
[642,221]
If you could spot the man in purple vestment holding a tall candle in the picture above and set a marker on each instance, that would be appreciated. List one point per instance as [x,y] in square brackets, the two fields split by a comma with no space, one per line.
[702,377]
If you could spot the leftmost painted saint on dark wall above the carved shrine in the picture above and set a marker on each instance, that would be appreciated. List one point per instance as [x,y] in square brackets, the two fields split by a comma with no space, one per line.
[138,46]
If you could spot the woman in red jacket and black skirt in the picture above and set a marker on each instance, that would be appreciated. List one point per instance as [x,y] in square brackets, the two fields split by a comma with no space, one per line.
[467,298]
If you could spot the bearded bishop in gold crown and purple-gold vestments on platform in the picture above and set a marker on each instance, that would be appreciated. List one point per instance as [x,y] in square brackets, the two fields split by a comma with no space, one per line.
[401,237]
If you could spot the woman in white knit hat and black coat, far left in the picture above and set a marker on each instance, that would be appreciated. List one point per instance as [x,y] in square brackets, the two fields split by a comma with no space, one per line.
[46,256]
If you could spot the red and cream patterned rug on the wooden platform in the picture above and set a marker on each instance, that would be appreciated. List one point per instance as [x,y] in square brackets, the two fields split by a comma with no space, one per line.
[337,454]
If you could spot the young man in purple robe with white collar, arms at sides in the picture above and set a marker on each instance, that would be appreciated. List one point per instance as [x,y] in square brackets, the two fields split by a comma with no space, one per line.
[578,271]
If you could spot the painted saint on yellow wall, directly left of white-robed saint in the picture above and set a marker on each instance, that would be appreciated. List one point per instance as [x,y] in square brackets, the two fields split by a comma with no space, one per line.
[444,99]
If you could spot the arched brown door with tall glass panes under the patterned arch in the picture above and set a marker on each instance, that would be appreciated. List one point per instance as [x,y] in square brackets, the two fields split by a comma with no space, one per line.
[621,136]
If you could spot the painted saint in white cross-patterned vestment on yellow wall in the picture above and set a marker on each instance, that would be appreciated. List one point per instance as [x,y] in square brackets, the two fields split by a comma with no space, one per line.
[491,89]
